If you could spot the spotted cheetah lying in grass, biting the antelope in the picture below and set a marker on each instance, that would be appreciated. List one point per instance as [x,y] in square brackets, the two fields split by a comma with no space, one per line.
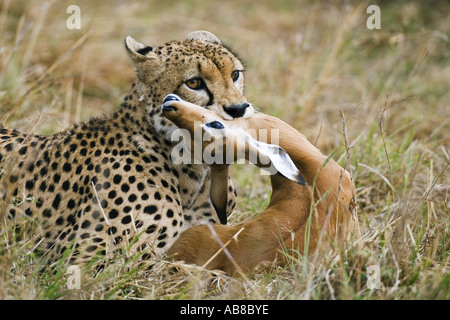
[110,182]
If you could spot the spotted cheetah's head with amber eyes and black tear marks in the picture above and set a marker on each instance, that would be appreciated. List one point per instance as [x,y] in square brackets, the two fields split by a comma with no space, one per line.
[200,70]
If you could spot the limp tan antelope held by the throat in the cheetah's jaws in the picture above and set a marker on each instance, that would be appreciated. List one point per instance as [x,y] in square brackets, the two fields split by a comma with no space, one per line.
[311,193]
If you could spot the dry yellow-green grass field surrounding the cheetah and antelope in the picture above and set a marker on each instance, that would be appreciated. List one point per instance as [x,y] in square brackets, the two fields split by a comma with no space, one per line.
[313,64]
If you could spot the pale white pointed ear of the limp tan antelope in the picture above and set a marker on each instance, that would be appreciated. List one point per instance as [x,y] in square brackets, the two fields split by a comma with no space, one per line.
[280,160]
